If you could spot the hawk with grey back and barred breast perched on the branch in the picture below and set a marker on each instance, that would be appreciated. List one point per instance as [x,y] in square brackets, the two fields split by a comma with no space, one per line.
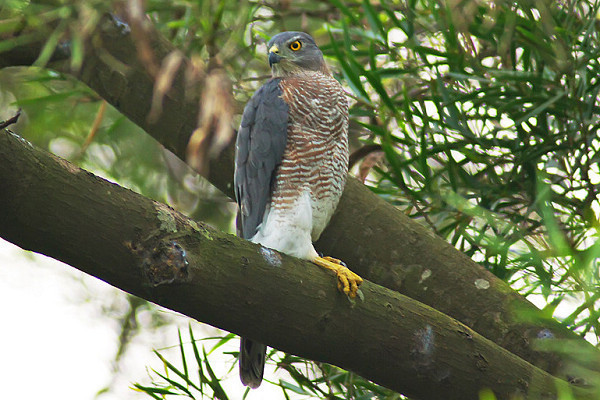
[291,165]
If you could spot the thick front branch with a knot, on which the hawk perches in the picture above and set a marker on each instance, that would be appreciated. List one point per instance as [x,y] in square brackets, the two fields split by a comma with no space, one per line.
[150,250]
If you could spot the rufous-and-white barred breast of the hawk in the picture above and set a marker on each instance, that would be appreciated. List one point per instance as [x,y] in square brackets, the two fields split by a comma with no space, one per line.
[315,159]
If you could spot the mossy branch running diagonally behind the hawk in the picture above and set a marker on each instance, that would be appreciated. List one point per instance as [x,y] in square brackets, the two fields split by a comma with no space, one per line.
[375,239]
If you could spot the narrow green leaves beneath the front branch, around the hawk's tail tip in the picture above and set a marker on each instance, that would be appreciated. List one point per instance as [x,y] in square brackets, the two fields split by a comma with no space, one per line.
[196,378]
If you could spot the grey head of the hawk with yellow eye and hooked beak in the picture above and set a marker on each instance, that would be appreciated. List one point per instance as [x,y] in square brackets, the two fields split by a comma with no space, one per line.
[293,52]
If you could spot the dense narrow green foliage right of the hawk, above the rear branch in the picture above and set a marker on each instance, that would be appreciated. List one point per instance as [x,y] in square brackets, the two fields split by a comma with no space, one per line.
[487,116]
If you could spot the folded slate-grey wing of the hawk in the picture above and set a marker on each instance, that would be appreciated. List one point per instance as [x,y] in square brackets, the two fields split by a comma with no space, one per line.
[260,145]
